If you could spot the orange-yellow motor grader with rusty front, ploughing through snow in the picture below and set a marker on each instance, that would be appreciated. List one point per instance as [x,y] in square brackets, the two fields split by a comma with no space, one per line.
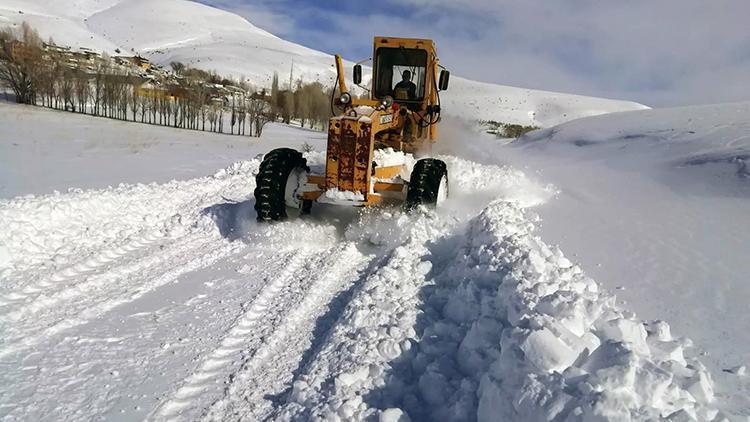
[398,119]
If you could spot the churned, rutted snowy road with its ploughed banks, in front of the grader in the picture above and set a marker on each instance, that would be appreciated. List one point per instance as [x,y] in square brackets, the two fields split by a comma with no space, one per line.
[169,302]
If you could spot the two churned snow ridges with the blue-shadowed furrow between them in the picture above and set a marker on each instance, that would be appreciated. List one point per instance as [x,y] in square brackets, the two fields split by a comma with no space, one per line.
[493,324]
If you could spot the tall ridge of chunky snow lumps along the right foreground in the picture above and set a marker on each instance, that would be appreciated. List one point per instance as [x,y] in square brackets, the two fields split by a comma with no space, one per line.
[567,351]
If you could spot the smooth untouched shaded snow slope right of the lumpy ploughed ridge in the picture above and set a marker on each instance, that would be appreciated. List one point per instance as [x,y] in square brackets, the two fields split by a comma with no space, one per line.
[655,204]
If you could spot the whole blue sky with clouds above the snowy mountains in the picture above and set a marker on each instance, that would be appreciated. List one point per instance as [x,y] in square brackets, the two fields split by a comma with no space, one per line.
[658,52]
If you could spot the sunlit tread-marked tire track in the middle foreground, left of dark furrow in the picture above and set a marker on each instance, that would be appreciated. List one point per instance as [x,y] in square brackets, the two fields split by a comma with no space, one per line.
[289,304]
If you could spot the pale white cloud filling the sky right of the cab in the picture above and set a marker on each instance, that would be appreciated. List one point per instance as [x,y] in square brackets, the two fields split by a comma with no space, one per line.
[658,52]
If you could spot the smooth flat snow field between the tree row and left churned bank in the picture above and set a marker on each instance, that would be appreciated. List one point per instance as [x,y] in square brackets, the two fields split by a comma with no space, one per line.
[43,150]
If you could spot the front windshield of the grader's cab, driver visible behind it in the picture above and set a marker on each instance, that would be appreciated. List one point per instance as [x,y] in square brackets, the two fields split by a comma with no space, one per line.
[400,73]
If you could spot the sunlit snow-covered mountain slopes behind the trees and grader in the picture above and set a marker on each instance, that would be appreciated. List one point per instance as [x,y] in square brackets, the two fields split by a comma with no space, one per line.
[213,39]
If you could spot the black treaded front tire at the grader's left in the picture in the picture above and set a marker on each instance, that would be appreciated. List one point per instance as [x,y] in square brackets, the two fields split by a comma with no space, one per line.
[270,183]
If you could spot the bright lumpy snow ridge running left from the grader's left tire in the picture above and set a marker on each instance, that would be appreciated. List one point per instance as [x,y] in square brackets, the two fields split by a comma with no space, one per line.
[62,228]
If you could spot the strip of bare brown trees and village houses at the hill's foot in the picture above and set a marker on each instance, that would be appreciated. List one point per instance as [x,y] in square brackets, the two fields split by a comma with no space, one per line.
[47,75]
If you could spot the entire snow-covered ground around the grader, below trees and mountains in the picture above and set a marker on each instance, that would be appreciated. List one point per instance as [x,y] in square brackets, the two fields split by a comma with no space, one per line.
[167,301]
